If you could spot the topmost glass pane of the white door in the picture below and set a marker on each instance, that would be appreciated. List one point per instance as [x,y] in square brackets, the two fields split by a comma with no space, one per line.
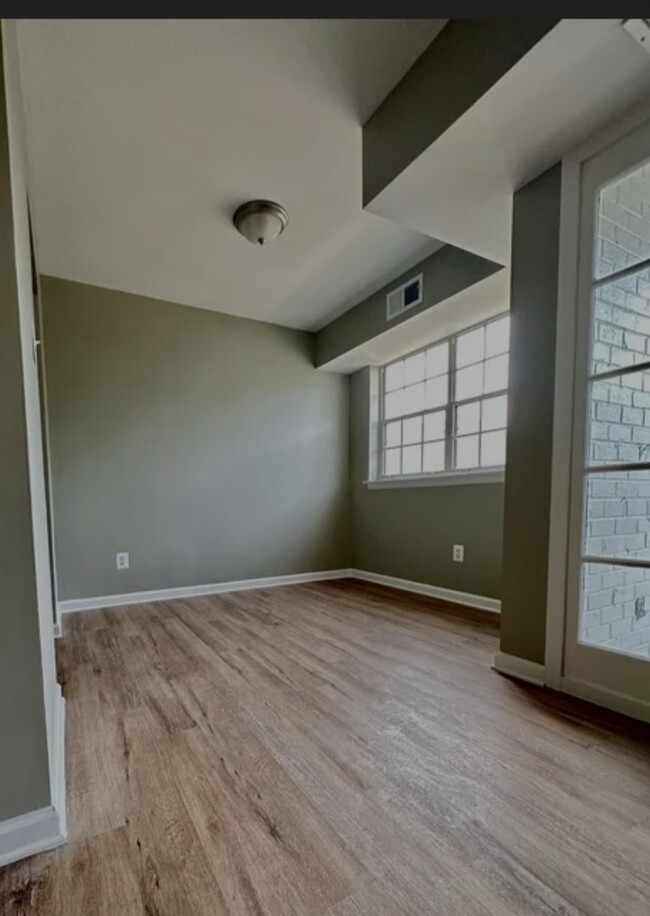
[623,224]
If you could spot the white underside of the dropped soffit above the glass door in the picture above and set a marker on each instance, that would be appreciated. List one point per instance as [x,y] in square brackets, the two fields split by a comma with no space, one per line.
[579,77]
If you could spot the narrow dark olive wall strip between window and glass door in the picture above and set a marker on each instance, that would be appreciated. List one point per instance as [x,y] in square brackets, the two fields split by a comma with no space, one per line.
[533,309]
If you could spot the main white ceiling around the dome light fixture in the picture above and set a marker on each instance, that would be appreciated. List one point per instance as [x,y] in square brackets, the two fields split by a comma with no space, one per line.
[143,136]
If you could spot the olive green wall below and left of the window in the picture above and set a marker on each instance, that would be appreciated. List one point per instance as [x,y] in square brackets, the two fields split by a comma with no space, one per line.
[409,532]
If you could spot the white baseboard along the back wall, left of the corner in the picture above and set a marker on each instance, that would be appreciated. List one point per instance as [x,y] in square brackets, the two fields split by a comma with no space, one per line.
[194,591]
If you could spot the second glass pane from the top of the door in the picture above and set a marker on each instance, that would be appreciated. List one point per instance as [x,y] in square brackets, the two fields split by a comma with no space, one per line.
[621,323]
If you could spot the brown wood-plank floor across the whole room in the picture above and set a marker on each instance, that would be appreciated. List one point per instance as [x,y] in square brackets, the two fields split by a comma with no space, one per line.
[335,749]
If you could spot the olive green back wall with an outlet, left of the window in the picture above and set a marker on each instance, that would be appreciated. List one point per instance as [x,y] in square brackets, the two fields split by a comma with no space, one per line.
[206,446]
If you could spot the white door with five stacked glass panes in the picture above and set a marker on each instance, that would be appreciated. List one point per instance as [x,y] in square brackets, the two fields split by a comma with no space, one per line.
[607,638]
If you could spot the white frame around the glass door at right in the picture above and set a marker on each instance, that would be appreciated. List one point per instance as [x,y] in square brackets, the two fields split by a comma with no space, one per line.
[563,420]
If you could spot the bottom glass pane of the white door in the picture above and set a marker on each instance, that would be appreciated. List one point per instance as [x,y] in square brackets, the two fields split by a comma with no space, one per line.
[615,608]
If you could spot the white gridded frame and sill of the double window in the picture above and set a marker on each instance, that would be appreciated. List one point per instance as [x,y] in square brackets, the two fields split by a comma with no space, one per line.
[448,476]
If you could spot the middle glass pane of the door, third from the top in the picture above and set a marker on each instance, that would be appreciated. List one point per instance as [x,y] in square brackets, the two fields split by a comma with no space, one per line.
[619,419]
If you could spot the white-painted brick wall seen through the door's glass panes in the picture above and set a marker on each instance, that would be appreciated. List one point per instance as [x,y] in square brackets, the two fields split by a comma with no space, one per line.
[615,607]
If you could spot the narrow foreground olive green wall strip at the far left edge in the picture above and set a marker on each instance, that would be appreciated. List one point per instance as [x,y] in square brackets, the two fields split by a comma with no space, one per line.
[24,774]
